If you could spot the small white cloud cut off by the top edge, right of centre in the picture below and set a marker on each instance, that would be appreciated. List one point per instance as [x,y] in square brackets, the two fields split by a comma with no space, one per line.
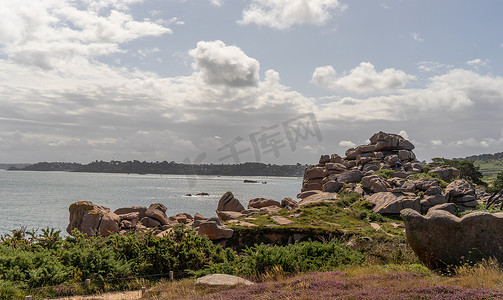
[280,14]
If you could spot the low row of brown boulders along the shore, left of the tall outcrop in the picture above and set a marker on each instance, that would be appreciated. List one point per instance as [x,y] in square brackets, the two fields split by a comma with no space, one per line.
[95,220]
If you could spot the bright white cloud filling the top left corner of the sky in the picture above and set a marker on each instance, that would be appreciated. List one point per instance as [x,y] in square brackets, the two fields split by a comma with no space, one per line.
[50,33]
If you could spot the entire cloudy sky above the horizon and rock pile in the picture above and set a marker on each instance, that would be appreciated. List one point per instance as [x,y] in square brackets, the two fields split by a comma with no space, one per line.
[225,81]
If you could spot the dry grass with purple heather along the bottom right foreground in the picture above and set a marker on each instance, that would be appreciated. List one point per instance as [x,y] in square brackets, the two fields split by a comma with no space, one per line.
[405,281]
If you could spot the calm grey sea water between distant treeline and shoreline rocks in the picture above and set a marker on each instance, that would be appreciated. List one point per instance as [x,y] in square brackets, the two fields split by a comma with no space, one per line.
[41,199]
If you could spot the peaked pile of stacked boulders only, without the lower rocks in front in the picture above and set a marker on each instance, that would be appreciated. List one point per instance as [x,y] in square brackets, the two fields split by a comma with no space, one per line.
[385,151]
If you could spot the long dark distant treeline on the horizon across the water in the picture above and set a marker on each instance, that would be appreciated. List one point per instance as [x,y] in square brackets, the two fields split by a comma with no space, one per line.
[244,169]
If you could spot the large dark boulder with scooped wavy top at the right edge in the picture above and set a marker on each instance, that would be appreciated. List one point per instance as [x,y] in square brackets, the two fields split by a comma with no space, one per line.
[441,240]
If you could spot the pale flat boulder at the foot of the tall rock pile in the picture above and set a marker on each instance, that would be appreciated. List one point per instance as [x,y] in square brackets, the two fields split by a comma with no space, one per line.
[393,203]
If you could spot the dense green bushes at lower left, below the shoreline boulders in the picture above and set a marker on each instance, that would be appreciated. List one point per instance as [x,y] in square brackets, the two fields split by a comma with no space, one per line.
[110,262]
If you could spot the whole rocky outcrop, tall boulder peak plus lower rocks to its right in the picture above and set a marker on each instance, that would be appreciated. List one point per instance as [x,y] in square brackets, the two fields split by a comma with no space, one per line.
[356,172]
